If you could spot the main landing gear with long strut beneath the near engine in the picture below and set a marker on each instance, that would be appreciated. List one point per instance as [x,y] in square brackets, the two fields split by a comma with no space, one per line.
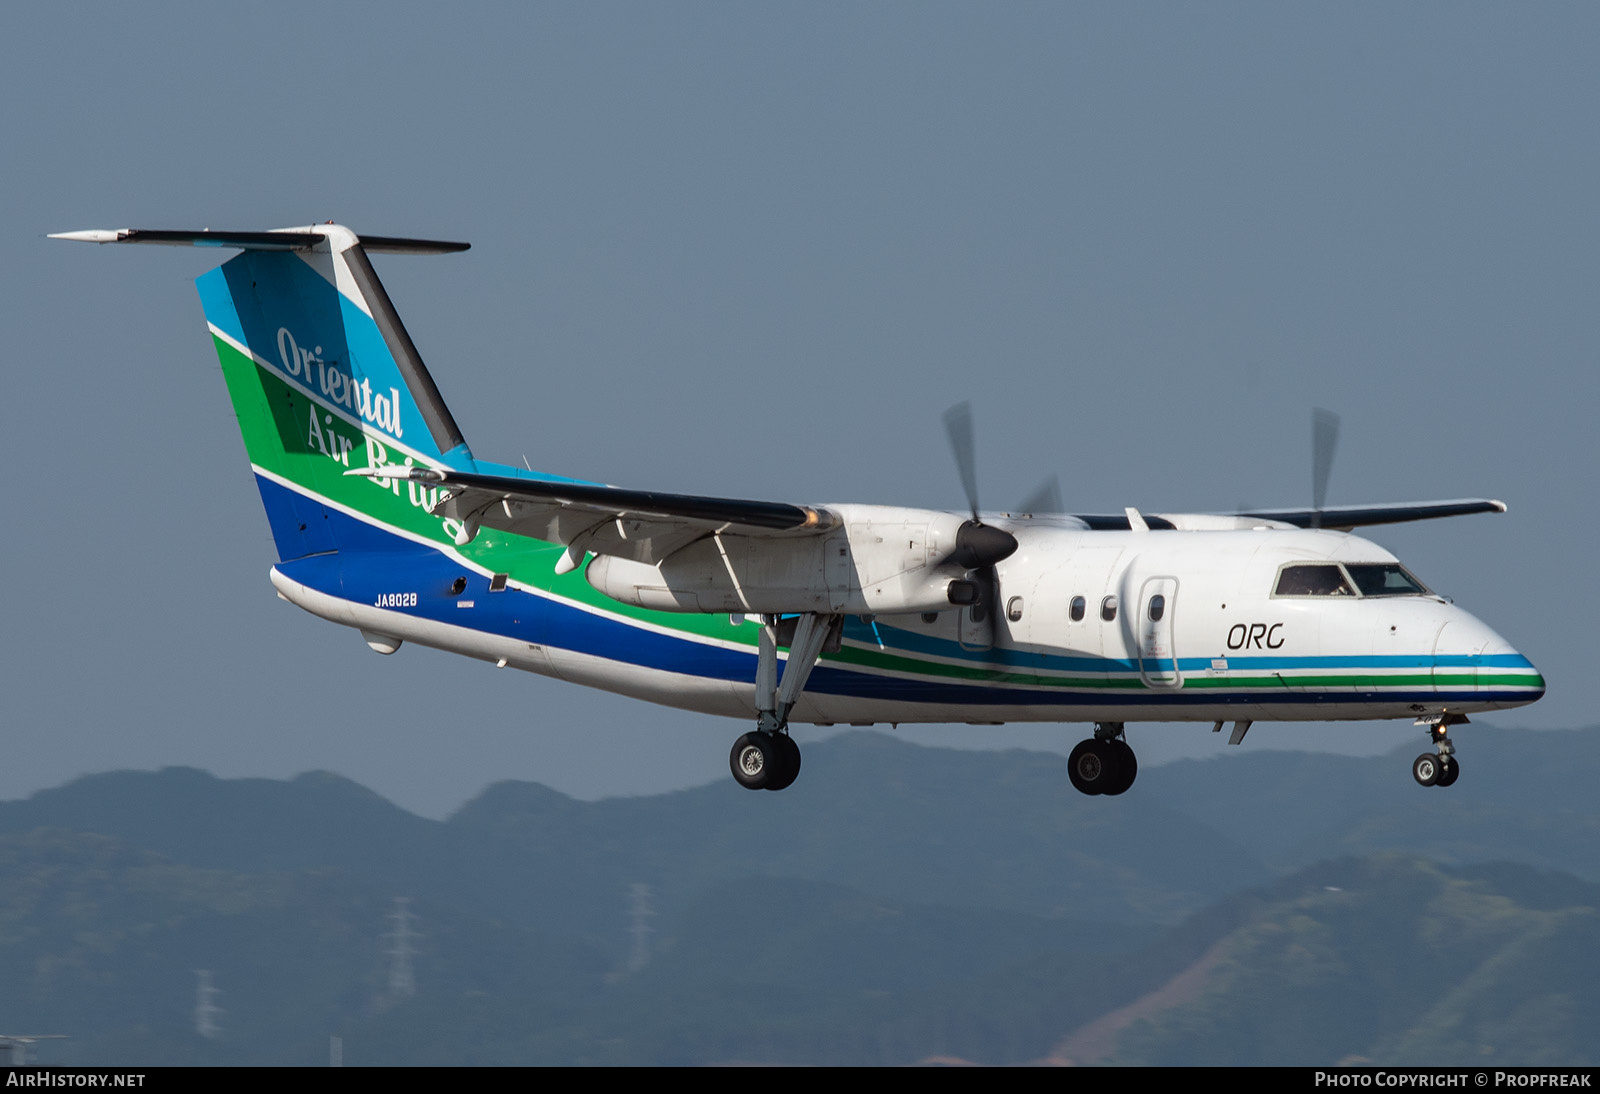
[767,759]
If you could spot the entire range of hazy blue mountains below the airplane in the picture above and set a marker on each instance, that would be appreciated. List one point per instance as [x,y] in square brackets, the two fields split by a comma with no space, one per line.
[970,906]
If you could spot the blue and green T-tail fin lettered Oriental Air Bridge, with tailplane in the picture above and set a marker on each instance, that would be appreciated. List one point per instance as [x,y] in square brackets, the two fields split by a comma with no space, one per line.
[324,378]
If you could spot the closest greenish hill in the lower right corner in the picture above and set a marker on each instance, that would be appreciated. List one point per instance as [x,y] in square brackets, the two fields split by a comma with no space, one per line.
[1399,960]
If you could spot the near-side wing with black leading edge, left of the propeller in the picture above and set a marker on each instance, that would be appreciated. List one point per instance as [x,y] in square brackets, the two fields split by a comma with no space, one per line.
[609,521]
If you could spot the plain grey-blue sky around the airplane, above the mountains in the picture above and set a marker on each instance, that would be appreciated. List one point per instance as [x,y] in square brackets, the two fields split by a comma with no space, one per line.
[756,250]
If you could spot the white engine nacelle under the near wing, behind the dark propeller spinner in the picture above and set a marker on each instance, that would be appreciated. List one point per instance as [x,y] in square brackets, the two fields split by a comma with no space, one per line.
[879,561]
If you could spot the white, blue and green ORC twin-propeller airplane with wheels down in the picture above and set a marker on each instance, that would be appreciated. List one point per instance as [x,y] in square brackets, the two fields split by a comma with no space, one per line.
[386,522]
